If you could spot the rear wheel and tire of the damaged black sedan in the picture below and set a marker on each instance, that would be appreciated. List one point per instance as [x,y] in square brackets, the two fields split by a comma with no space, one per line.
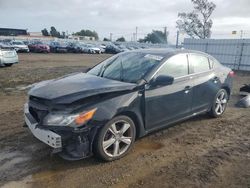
[219,104]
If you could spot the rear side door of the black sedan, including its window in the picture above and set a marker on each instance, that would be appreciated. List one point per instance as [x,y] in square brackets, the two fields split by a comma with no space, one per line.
[206,84]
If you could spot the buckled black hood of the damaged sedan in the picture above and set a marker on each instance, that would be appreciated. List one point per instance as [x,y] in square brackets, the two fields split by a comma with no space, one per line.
[77,86]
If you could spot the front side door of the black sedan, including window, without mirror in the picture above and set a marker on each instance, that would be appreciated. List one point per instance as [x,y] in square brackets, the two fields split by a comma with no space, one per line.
[166,104]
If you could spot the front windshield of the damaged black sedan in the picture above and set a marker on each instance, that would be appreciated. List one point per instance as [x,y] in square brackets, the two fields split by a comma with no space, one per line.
[127,67]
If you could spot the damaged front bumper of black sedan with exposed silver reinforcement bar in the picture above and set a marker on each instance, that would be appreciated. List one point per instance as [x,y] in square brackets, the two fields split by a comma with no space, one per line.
[69,144]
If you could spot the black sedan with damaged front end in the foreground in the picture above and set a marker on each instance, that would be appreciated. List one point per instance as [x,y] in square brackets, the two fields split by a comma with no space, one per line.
[123,98]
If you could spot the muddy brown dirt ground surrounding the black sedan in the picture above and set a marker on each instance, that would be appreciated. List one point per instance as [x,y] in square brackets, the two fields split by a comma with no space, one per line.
[201,152]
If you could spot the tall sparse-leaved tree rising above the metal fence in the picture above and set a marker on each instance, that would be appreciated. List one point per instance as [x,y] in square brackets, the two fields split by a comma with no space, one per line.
[197,23]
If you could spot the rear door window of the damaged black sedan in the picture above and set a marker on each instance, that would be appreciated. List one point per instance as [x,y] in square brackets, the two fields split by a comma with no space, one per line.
[199,63]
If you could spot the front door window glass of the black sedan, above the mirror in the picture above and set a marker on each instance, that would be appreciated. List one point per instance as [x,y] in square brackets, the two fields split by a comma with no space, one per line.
[175,66]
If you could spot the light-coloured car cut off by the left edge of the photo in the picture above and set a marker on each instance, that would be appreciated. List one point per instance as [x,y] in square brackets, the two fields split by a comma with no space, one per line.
[8,55]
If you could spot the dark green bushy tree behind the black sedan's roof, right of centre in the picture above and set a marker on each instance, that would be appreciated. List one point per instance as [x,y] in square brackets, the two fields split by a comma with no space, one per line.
[155,37]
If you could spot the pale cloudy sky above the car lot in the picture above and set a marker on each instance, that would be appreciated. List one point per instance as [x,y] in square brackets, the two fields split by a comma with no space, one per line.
[120,17]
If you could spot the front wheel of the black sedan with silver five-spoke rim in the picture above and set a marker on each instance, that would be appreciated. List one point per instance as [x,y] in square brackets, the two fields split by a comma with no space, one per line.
[118,143]
